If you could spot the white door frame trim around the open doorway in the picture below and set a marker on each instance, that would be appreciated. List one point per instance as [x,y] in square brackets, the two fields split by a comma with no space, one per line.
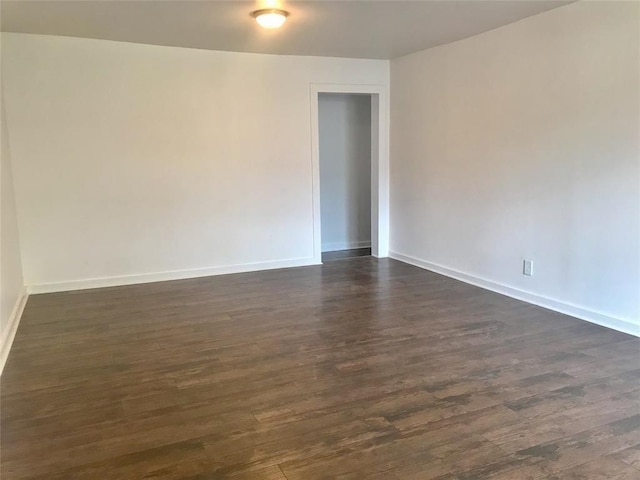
[379,164]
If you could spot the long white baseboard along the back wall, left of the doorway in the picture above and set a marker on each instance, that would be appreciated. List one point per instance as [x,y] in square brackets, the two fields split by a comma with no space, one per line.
[165,276]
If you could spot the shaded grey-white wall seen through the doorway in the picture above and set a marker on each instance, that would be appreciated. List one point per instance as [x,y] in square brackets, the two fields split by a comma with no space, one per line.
[345,170]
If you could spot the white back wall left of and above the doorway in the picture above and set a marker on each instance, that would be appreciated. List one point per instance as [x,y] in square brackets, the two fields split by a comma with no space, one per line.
[133,160]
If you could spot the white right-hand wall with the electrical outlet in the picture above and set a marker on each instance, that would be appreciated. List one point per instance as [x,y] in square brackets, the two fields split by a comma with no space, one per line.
[523,142]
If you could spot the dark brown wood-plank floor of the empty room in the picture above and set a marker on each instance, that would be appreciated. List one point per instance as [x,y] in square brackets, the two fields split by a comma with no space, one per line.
[359,369]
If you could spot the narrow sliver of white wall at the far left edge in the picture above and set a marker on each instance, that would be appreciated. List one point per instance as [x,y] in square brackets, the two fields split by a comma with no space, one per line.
[12,295]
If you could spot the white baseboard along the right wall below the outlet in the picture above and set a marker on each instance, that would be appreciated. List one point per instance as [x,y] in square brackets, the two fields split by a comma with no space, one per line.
[598,318]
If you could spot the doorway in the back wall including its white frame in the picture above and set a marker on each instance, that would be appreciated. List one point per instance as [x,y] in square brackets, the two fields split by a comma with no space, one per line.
[350,171]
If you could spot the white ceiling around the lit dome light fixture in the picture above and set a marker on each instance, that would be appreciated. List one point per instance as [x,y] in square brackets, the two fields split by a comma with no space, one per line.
[358,29]
